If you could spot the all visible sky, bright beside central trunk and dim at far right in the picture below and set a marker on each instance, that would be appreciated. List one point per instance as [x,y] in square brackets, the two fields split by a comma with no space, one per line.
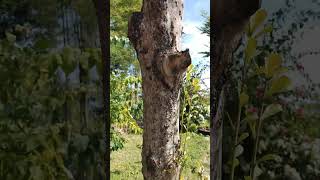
[197,42]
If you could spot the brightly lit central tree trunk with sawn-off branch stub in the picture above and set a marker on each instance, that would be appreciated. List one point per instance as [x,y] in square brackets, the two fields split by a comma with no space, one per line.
[156,36]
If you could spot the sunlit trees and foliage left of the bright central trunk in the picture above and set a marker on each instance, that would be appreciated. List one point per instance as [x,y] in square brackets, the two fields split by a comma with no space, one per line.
[125,86]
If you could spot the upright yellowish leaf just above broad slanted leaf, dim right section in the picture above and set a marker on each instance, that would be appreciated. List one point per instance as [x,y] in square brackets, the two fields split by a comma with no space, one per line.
[273,64]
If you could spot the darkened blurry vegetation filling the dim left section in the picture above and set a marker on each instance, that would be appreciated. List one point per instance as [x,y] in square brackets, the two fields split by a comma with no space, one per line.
[50,109]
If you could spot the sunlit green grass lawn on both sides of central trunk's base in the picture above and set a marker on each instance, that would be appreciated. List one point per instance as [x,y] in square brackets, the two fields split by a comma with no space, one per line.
[126,163]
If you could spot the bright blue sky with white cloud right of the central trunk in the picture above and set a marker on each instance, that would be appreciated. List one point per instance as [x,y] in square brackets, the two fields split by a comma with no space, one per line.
[193,39]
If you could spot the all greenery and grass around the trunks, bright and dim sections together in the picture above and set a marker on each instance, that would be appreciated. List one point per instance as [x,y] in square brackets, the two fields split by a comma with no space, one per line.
[50,92]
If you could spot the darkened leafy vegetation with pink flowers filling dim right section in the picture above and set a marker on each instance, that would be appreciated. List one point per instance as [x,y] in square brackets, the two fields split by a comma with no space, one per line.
[274,124]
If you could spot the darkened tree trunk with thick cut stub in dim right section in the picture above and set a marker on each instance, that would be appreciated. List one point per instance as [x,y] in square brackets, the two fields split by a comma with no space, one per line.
[229,20]
